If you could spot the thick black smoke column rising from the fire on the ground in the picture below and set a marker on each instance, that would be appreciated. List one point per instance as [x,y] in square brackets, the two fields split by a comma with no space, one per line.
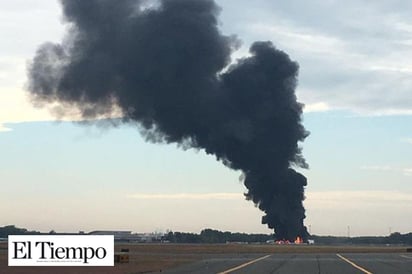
[164,67]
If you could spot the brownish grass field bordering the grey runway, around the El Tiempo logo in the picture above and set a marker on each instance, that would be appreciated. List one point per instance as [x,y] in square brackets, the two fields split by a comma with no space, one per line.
[146,258]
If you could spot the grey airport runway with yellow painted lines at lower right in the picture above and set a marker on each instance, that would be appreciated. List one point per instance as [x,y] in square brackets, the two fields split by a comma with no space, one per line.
[345,263]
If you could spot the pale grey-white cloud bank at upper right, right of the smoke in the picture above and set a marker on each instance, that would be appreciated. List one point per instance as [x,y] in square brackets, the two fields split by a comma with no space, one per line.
[352,57]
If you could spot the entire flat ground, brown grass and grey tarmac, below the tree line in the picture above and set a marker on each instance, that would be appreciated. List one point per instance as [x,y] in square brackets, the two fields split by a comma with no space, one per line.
[241,258]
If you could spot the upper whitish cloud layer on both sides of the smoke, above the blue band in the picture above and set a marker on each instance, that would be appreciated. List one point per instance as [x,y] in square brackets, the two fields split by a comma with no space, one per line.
[352,57]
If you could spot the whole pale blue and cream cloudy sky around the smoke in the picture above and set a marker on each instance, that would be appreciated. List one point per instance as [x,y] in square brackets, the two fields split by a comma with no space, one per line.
[355,80]
